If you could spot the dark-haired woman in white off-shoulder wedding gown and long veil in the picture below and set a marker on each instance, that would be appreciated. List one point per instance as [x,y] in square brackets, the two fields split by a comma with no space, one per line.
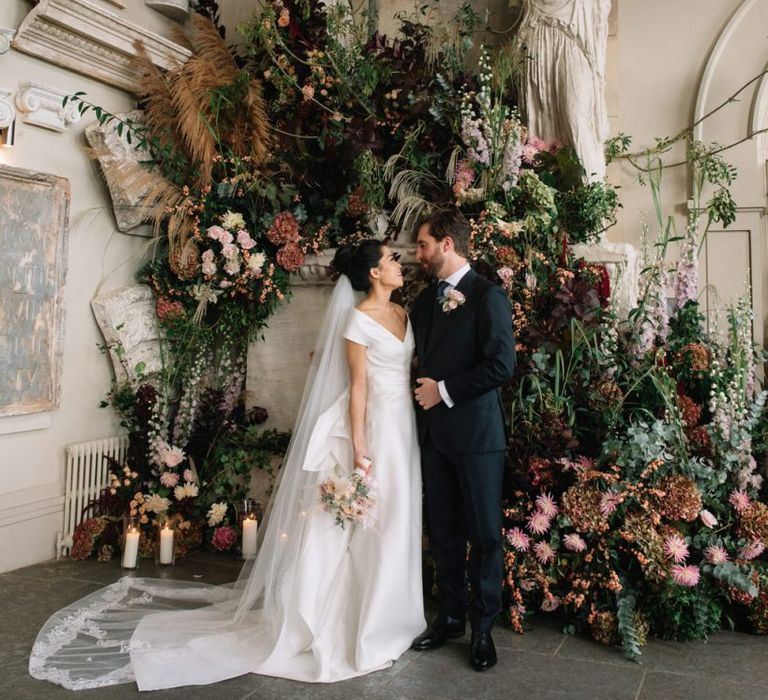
[320,603]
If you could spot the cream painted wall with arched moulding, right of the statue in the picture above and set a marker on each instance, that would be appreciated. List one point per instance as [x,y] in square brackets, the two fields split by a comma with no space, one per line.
[671,54]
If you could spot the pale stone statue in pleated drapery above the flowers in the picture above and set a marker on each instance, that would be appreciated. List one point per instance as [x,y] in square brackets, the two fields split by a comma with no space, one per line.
[565,77]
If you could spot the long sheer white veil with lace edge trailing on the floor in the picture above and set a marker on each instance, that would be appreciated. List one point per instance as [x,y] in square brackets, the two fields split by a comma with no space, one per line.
[164,633]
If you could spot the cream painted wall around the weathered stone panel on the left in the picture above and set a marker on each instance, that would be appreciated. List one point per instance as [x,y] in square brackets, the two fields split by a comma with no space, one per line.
[32,463]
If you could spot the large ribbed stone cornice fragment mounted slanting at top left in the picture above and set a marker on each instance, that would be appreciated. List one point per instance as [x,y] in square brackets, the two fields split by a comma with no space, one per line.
[88,39]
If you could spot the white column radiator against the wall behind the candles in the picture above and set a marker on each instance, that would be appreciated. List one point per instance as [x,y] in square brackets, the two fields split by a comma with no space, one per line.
[86,477]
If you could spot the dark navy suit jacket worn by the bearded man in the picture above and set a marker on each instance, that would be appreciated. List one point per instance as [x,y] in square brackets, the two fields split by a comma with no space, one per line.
[472,349]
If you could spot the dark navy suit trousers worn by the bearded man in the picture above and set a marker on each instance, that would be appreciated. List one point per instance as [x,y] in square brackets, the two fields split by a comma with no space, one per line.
[463,494]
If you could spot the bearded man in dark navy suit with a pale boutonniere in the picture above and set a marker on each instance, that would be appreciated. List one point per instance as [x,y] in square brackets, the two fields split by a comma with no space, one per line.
[465,352]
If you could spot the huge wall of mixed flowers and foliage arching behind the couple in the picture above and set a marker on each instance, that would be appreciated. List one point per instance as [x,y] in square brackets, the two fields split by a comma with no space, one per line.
[634,503]
